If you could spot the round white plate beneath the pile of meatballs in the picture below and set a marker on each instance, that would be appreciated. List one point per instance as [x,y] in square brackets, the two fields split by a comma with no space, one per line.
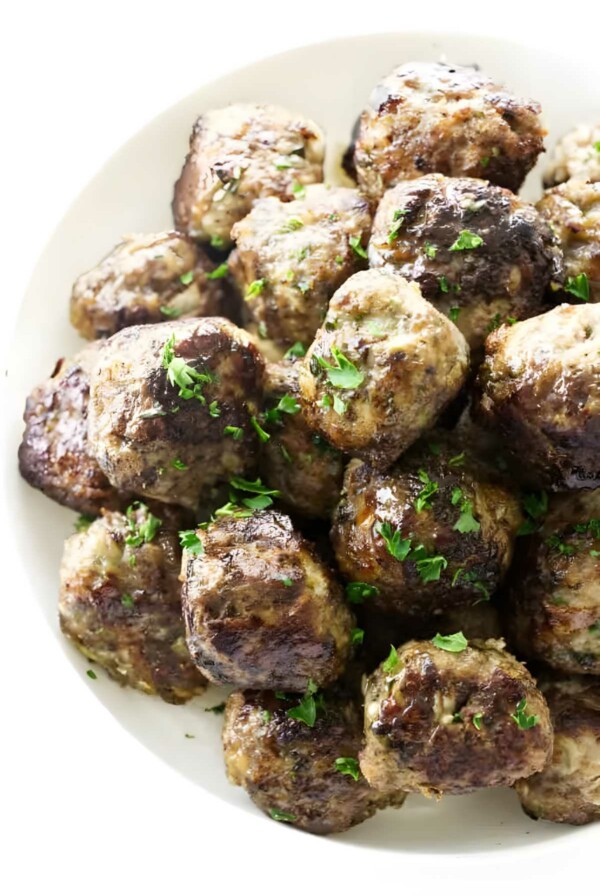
[330,83]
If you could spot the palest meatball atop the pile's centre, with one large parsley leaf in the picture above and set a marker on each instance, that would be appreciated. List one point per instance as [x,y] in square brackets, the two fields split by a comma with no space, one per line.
[382,367]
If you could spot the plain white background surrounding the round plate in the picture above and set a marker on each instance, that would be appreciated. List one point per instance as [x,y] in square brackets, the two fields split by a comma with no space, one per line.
[86,809]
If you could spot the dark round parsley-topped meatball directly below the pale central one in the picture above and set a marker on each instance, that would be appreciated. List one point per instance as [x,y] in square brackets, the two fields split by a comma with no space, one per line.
[433,532]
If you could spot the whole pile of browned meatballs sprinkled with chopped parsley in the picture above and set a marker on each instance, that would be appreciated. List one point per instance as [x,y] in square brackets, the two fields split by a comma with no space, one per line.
[337,449]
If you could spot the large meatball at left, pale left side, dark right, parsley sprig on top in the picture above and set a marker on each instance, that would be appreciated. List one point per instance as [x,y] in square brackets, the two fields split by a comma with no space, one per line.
[173,408]
